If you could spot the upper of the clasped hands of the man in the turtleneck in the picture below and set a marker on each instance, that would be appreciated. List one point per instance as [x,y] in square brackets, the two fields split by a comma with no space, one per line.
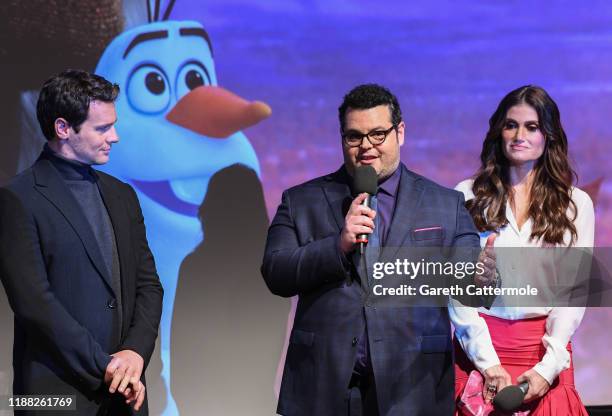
[124,369]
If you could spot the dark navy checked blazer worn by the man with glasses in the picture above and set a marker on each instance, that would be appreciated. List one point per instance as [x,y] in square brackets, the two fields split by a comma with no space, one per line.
[410,347]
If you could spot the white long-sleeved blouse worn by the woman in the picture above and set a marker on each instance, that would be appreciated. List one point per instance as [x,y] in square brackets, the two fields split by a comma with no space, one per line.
[471,330]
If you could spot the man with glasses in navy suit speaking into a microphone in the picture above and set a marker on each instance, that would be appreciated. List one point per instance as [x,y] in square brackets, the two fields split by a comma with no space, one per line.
[398,360]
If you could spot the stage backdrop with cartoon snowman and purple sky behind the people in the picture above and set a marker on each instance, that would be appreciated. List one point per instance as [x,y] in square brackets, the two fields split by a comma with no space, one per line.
[208,189]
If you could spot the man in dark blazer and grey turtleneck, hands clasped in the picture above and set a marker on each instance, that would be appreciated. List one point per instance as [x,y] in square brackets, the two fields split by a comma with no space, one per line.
[75,262]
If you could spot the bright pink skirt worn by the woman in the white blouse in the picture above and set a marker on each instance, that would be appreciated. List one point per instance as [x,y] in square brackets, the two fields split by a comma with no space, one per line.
[518,344]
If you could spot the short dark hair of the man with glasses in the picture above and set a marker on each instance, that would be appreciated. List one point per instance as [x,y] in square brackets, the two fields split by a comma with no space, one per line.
[367,96]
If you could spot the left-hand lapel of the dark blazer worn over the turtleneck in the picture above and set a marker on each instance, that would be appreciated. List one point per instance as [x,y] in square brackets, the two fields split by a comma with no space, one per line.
[49,183]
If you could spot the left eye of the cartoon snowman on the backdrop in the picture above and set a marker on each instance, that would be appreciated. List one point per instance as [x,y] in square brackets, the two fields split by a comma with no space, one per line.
[148,90]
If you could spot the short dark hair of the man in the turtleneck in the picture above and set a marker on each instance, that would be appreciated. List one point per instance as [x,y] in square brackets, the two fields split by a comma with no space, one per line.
[68,95]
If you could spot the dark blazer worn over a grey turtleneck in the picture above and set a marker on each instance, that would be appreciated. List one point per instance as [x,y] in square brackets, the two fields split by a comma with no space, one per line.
[61,292]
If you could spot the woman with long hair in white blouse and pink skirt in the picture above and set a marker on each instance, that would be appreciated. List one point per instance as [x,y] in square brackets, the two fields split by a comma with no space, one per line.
[523,192]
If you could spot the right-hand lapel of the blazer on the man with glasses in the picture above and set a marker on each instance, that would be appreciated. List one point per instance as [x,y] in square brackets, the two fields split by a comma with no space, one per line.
[408,199]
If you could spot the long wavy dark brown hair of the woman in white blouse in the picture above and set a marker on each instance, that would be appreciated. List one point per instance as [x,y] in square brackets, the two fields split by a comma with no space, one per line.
[550,195]
